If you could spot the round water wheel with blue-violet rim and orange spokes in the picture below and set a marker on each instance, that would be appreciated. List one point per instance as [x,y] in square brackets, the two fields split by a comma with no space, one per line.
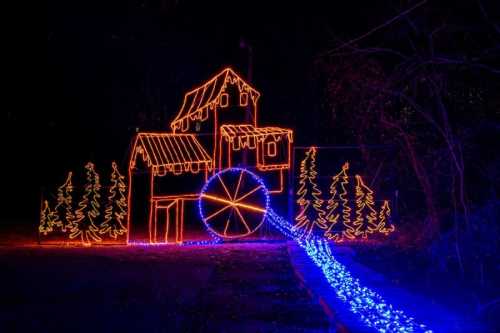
[233,203]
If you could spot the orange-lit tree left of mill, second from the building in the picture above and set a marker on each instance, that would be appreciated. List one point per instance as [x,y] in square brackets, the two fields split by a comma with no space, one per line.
[88,210]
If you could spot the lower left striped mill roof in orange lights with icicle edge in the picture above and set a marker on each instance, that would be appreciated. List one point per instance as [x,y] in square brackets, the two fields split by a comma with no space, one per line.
[167,152]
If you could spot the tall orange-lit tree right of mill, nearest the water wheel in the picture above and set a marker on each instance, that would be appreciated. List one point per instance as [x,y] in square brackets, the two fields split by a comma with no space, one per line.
[310,213]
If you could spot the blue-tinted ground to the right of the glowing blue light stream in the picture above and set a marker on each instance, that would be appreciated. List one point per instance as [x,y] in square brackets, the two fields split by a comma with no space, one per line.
[463,296]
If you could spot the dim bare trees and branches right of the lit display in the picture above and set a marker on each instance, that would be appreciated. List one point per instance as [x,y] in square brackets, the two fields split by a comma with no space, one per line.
[428,87]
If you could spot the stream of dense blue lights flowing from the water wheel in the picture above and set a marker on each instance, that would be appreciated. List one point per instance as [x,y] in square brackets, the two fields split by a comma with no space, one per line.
[373,310]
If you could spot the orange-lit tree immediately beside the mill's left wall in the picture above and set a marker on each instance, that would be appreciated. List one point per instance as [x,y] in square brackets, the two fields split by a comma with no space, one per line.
[116,209]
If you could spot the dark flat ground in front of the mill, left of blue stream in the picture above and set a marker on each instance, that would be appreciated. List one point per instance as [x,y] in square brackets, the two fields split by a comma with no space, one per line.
[234,287]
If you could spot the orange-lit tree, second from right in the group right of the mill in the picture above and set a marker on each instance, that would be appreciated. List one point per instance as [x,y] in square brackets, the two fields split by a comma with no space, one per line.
[366,216]
